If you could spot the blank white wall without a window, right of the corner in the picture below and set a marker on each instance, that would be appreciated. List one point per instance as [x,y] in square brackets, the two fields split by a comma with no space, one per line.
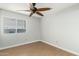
[62,28]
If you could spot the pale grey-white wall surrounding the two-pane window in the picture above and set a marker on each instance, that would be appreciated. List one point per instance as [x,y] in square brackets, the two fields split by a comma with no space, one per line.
[32,30]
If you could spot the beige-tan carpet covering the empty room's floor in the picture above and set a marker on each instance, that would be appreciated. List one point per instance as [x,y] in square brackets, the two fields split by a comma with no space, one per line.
[35,49]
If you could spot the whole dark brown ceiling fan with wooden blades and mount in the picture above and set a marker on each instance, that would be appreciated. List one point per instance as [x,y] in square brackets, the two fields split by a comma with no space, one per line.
[36,10]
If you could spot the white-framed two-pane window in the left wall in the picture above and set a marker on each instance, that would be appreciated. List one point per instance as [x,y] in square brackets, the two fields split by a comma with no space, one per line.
[11,25]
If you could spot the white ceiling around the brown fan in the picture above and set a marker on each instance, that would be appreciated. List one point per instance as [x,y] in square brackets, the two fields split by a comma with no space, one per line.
[56,7]
